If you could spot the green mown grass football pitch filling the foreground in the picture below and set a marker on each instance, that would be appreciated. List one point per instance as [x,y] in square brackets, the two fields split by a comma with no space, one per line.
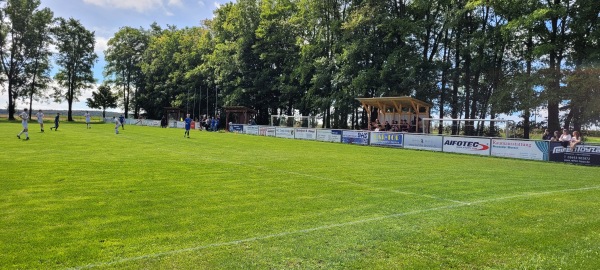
[148,198]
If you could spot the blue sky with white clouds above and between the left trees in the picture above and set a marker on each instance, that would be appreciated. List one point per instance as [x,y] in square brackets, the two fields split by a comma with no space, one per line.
[105,17]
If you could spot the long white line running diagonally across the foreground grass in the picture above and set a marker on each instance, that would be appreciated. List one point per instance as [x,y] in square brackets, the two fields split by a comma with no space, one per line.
[330,226]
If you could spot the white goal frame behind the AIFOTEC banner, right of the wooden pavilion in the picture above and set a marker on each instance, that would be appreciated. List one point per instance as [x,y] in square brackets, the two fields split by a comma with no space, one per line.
[475,127]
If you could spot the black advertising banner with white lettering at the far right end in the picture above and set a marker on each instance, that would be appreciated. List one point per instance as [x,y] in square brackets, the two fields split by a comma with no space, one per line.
[582,154]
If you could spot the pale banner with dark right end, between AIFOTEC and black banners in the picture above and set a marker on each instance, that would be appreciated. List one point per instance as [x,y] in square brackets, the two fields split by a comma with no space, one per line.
[522,149]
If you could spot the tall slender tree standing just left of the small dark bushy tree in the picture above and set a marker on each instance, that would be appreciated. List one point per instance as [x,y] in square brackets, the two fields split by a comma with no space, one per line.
[76,57]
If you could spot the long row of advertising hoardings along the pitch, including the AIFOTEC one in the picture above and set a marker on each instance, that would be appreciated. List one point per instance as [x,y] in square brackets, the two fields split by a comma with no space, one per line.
[509,148]
